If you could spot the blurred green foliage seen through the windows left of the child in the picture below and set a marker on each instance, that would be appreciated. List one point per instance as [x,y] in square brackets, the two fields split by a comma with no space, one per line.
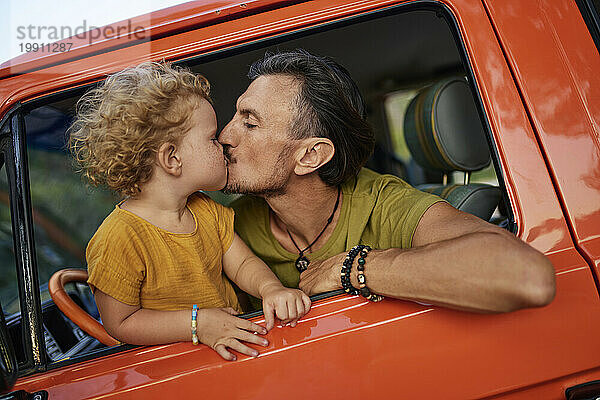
[66,210]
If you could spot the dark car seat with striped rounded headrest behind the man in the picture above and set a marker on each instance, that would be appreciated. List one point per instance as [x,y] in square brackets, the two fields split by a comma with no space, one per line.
[444,133]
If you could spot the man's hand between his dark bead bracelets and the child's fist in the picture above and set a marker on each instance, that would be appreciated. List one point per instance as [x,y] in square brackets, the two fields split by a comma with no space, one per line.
[322,276]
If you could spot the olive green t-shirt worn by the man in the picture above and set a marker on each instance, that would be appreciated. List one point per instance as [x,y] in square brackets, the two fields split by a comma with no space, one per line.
[379,210]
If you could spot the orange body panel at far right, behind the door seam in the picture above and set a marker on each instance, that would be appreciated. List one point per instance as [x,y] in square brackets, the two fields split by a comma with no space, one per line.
[563,100]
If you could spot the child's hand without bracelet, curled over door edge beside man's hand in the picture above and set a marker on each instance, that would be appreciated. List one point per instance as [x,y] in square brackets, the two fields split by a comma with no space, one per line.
[288,305]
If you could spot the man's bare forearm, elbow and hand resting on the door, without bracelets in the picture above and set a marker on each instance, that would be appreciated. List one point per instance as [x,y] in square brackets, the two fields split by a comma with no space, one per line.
[457,261]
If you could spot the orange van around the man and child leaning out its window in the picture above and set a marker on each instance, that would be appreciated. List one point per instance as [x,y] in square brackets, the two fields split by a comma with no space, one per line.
[527,73]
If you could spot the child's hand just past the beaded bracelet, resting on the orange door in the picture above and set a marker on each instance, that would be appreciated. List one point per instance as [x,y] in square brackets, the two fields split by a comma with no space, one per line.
[220,329]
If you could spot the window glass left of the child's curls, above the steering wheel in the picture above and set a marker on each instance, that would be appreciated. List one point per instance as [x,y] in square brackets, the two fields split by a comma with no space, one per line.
[66,211]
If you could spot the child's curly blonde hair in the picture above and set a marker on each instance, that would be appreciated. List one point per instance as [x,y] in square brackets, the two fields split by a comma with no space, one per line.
[121,124]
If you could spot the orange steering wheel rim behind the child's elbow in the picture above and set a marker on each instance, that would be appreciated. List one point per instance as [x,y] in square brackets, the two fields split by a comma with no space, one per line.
[56,288]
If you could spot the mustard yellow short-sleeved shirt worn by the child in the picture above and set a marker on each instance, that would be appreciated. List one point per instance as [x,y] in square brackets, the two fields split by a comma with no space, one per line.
[138,263]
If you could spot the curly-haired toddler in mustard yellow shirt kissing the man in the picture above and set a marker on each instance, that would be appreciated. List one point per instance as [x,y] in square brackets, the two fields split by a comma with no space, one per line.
[149,133]
